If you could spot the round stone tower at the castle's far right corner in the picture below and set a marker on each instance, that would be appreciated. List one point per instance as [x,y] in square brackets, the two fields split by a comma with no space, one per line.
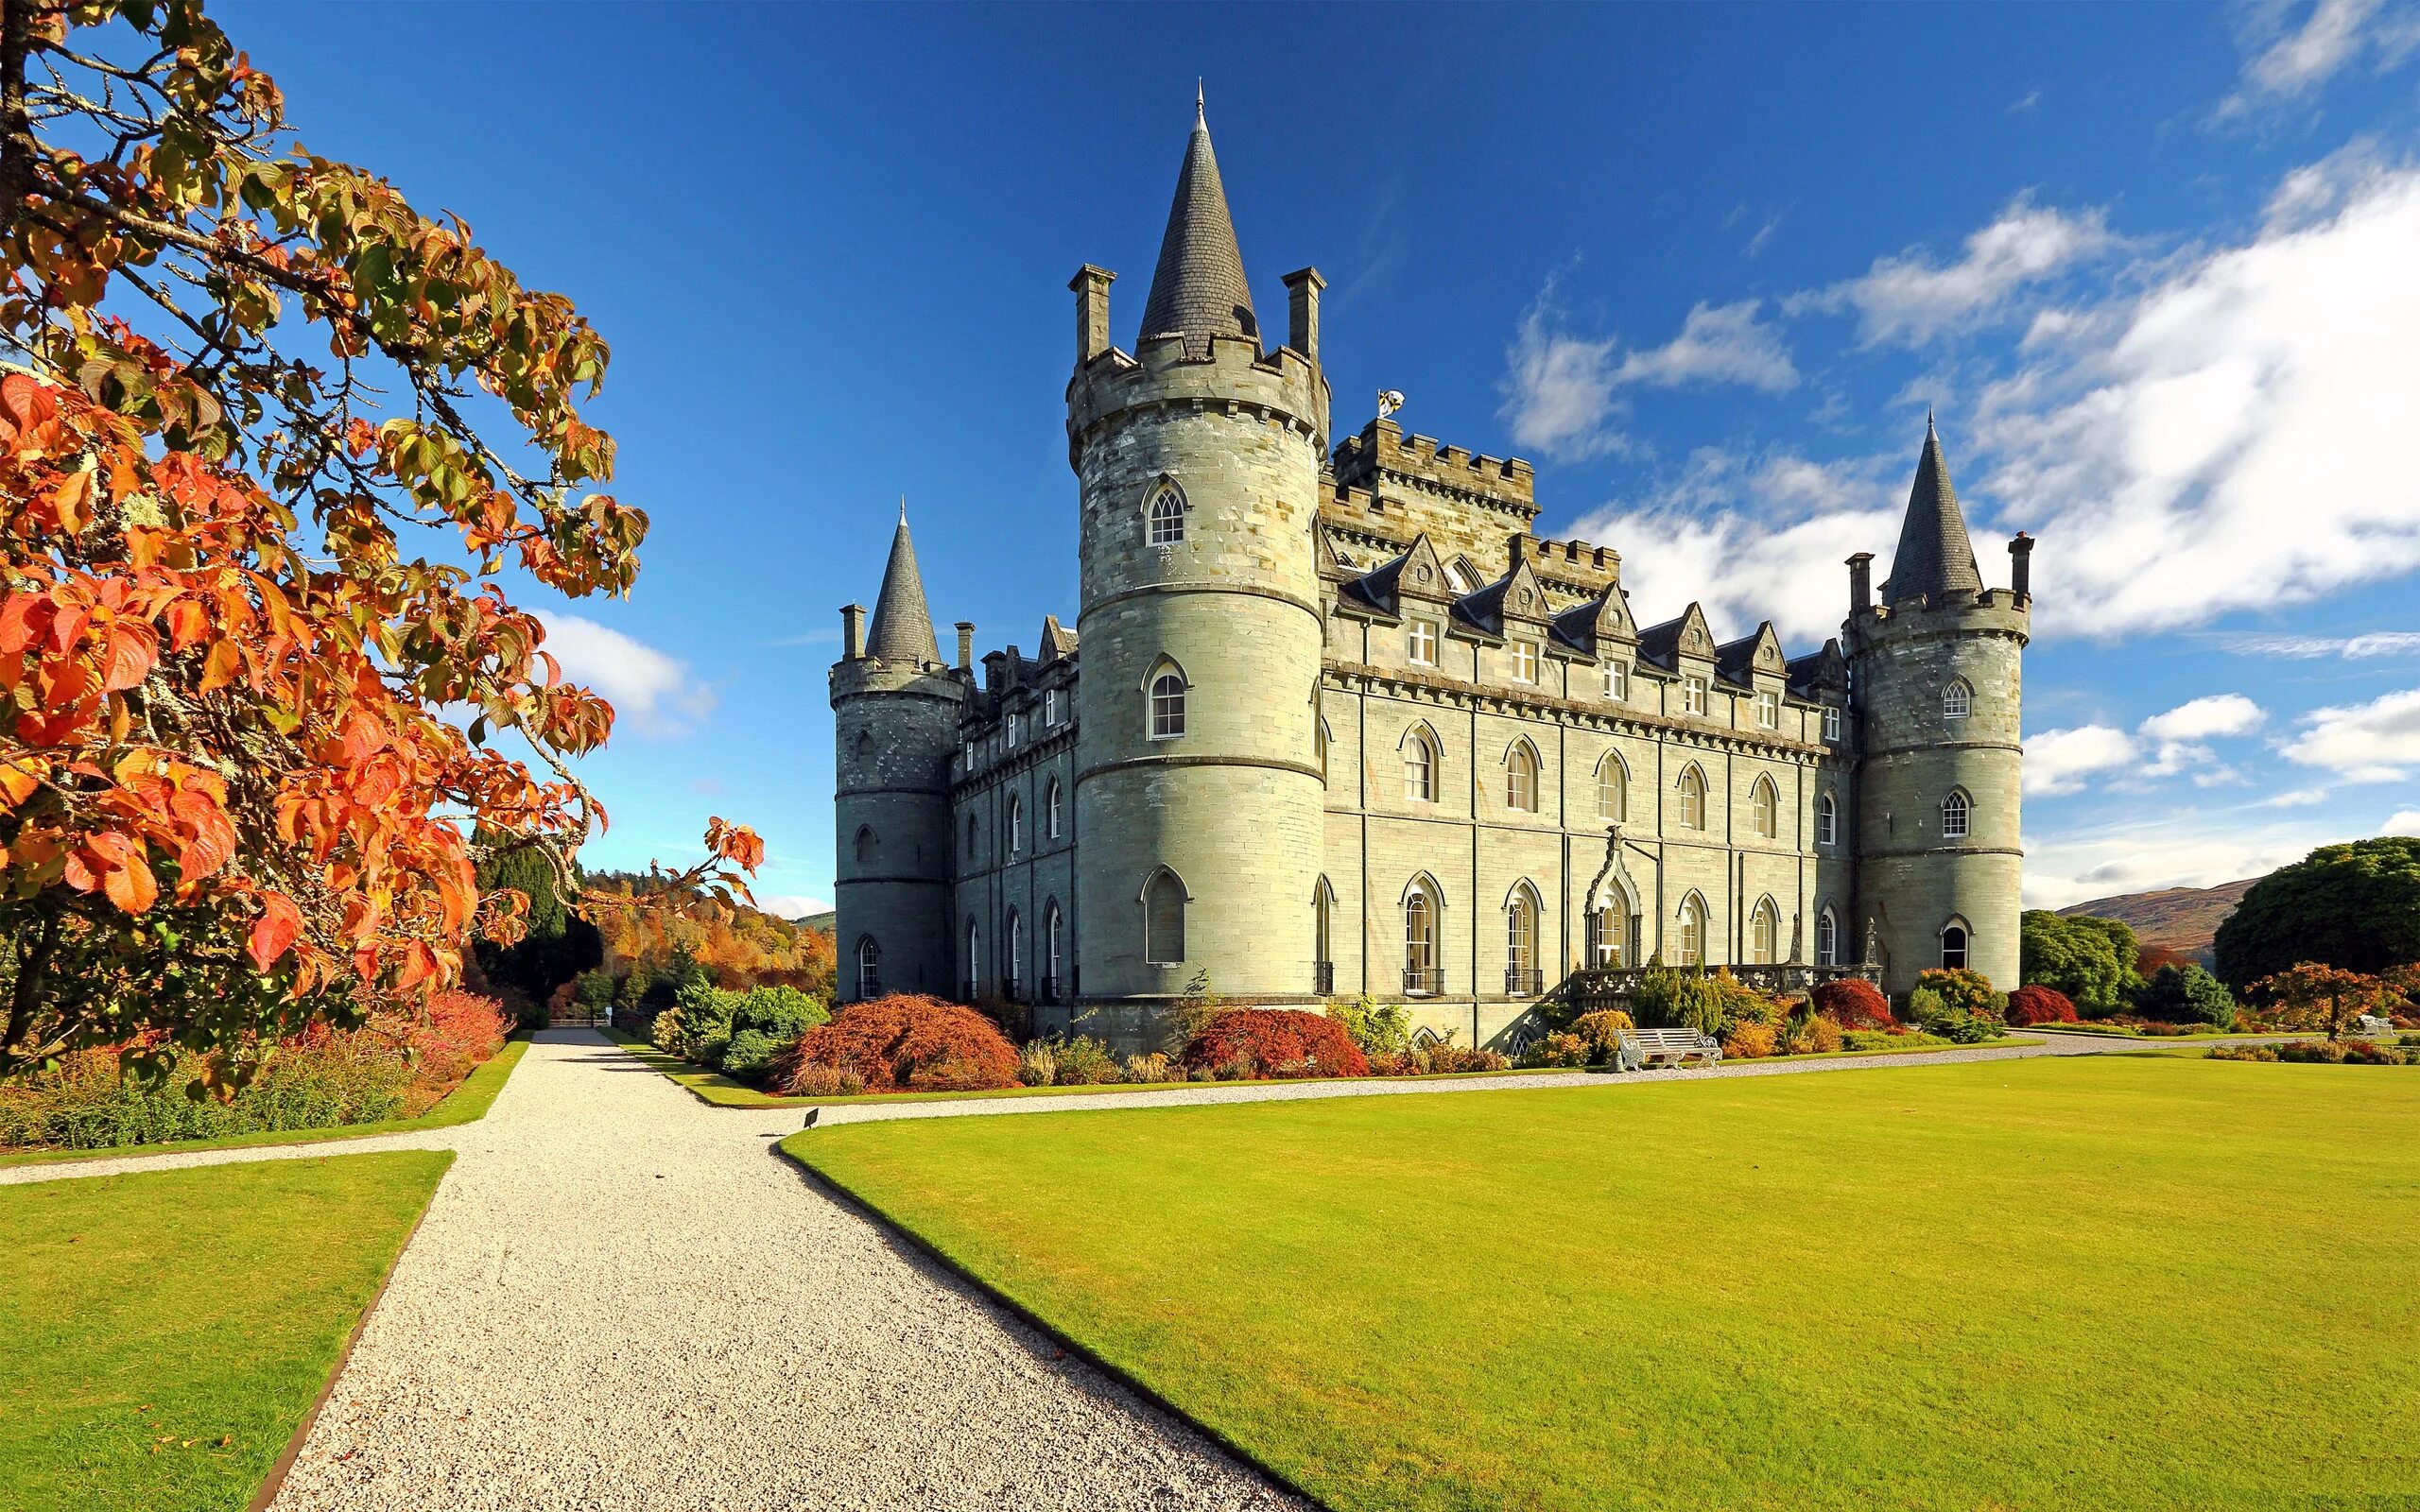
[1937,676]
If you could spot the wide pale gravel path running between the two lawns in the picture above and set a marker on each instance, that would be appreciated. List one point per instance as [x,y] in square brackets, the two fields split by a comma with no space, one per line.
[623,1298]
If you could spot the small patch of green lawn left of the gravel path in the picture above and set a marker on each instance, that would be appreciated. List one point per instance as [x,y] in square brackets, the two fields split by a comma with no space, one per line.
[168,1332]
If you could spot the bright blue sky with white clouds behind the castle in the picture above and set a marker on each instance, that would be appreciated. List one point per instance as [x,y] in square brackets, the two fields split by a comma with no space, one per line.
[1705,265]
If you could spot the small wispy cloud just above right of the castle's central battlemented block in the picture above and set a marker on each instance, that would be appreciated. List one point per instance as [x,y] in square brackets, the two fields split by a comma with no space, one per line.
[1562,391]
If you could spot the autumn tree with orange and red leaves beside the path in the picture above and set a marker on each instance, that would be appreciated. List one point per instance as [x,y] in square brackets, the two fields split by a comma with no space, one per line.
[270,439]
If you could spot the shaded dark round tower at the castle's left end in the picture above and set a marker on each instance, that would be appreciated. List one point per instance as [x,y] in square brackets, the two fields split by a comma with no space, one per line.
[897,722]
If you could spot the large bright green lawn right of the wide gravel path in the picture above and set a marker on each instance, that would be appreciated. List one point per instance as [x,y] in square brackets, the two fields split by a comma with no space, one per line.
[1993,1286]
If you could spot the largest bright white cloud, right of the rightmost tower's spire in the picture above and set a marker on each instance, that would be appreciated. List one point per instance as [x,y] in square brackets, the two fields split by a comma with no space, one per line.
[2235,437]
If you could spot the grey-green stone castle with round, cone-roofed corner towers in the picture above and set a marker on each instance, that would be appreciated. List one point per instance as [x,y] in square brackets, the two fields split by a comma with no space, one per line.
[1337,725]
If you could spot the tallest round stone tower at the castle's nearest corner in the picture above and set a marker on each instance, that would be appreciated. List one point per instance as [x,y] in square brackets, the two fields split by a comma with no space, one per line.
[1199,795]
